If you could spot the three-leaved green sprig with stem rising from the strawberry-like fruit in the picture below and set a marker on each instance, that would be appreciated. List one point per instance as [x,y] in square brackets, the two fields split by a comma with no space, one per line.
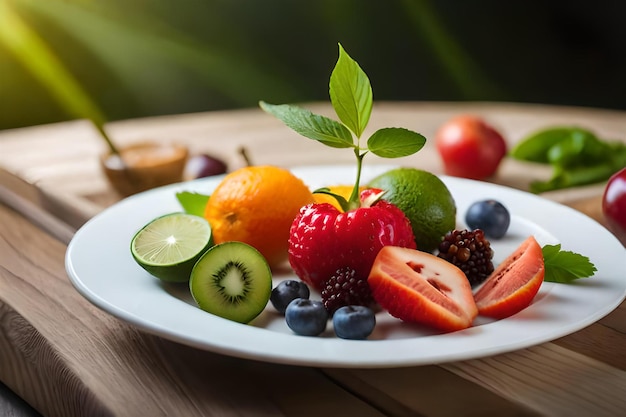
[352,99]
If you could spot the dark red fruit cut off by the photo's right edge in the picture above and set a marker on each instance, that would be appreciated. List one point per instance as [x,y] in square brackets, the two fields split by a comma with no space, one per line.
[614,204]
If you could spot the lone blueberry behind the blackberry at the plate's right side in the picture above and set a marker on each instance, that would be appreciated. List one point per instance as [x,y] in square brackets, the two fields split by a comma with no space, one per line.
[489,215]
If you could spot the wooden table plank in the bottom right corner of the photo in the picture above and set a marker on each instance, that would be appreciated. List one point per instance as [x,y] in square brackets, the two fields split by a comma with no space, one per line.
[556,381]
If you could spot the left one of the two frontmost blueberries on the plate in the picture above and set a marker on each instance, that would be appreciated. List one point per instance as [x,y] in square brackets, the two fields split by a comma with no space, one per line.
[306,317]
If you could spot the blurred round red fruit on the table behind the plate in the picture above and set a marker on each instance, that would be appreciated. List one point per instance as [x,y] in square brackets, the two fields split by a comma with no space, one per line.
[469,147]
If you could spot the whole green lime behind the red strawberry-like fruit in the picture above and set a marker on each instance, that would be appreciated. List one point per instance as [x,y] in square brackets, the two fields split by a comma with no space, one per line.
[424,199]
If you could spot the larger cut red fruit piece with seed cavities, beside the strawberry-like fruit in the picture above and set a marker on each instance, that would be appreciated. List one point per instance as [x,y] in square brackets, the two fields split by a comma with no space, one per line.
[419,287]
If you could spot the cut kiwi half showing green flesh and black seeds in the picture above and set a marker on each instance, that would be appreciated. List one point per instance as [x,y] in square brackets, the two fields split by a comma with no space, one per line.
[232,280]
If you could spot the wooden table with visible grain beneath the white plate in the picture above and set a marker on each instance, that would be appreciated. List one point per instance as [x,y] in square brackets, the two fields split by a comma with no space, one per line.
[65,357]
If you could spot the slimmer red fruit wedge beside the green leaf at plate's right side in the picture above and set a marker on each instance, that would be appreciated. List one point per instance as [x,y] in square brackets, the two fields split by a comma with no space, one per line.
[514,283]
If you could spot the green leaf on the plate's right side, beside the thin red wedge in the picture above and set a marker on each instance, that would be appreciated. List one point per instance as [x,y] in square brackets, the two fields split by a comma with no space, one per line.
[565,266]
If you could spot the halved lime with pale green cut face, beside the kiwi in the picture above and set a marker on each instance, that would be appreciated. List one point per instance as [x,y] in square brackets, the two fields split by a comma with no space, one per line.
[169,246]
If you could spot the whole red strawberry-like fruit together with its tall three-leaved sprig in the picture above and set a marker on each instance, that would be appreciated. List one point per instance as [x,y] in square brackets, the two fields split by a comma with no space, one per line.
[324,239]
